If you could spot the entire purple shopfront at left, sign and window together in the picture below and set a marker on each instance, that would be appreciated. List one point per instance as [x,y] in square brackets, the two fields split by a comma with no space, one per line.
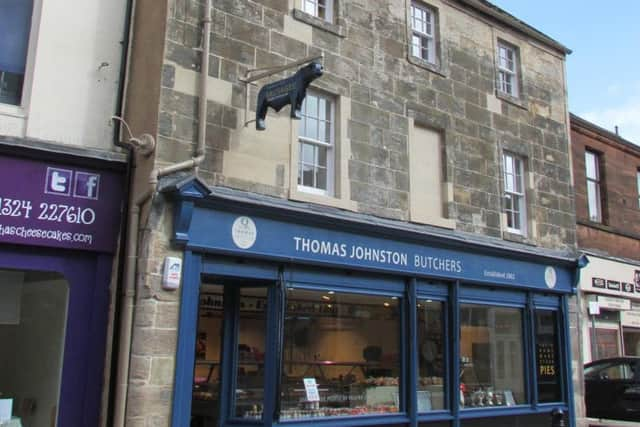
[59,227]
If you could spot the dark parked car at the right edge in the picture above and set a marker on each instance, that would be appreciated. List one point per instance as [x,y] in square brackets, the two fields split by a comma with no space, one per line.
[612,388]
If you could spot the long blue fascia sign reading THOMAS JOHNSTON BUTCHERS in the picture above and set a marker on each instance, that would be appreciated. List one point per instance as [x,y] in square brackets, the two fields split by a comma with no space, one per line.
[266,237]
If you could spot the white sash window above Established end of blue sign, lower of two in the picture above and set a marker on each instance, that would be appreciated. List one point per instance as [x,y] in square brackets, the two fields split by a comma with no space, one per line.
[514,195]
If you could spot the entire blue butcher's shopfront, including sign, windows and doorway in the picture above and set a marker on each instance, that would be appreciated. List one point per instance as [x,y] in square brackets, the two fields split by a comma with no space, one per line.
[297,315]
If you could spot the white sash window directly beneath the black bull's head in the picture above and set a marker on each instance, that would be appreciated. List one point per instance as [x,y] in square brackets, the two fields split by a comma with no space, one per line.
[316,137]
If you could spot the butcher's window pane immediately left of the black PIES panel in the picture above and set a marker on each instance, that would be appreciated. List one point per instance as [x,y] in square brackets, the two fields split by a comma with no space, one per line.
[492,356]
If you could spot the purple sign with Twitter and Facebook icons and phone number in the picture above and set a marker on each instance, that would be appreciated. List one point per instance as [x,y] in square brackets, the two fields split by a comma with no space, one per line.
[56,205]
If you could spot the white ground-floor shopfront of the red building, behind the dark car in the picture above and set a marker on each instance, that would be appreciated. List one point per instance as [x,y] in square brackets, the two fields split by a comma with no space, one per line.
[611,308]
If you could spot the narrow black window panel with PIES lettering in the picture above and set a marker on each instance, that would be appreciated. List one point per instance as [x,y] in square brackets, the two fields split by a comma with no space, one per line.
[547,356]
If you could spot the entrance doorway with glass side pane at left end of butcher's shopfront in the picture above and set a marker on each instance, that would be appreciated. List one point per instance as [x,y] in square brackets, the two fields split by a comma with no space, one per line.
[229,368]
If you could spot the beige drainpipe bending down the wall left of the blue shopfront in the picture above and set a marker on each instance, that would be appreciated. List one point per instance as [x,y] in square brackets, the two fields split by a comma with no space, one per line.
[128,296]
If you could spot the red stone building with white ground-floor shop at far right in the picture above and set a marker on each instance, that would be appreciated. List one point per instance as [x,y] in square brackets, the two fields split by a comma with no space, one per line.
[606,177]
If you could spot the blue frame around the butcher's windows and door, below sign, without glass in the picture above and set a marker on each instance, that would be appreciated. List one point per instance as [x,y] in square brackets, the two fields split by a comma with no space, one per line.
[408,292]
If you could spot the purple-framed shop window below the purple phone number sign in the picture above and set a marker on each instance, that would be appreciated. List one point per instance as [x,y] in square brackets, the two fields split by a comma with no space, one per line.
[66,295]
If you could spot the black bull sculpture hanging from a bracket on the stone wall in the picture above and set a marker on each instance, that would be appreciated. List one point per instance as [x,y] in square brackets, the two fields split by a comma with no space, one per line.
[291,90]
